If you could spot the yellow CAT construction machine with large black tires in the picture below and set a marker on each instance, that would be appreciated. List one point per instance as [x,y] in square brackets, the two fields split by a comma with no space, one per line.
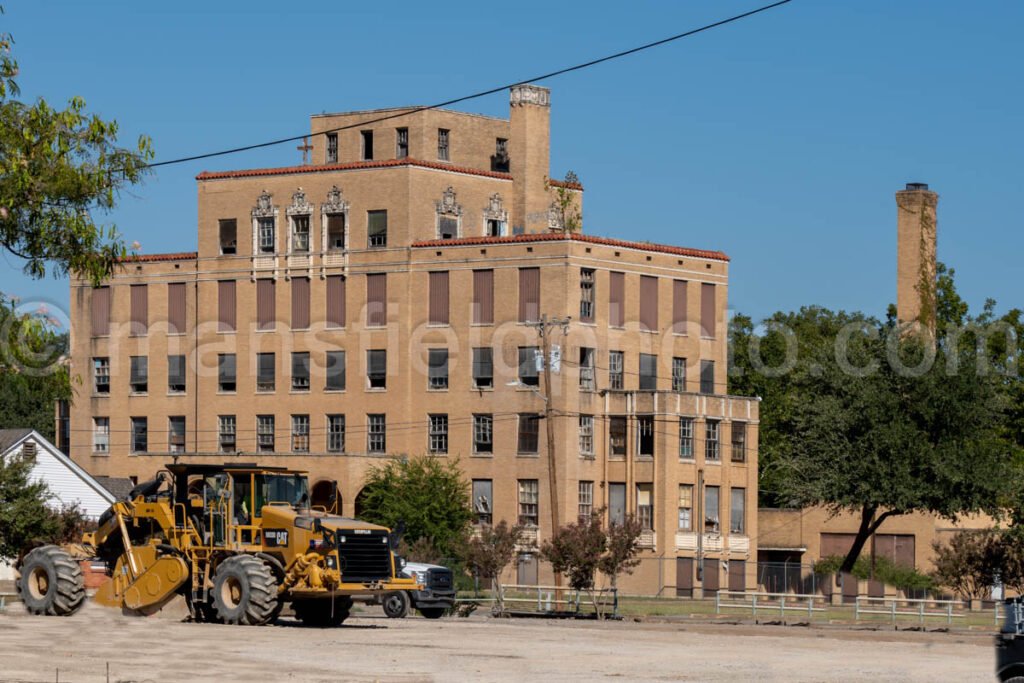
[239,542]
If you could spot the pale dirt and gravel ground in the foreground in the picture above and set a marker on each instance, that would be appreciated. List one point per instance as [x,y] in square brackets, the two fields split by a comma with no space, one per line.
[370,648]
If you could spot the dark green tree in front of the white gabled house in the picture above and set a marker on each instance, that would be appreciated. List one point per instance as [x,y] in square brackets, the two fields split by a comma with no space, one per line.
[25,519]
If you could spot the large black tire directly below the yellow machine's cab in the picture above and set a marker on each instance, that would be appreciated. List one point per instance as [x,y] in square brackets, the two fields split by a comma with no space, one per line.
[245,591]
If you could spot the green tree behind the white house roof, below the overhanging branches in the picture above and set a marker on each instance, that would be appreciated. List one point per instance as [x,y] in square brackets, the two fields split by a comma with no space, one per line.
[32,377]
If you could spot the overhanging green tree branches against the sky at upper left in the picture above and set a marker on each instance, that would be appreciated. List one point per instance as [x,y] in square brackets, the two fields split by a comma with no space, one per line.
[59,168]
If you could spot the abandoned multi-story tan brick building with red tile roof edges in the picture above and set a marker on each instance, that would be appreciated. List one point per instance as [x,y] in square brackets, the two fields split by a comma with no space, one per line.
[381,302]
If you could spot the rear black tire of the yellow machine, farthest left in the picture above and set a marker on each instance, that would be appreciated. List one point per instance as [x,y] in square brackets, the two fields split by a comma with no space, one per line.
[52,583]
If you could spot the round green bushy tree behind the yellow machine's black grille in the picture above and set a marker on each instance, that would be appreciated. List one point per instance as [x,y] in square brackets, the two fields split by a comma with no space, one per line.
[430,495]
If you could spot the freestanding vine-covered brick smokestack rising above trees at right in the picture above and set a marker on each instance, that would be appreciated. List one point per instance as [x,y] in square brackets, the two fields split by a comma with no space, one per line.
[916,243]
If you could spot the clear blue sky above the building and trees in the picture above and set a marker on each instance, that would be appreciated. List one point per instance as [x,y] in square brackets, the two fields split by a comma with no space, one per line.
[780,140]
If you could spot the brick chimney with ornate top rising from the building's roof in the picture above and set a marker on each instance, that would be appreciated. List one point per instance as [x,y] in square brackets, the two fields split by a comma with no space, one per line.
[530,152]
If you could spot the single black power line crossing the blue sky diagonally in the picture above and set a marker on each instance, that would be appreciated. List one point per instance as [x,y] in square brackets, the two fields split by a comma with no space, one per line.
[483,94]
